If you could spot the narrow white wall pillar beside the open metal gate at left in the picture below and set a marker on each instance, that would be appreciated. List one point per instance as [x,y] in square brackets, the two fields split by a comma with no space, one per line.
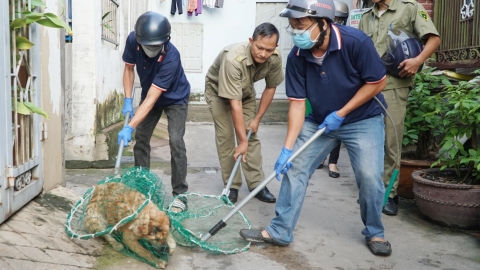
[81,92]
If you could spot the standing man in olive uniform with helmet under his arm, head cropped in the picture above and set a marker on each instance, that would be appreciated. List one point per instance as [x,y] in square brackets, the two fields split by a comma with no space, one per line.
[411,17]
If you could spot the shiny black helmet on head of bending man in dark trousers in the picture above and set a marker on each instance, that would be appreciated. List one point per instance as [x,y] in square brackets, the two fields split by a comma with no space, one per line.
[152,28]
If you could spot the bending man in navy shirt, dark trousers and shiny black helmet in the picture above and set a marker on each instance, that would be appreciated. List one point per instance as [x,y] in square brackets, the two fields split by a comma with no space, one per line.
[164,89]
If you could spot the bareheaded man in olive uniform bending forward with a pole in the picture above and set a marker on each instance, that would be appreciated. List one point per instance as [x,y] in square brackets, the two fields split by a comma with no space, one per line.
[231,99]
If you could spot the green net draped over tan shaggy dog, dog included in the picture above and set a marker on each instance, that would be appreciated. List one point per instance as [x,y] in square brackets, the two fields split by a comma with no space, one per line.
[128,211]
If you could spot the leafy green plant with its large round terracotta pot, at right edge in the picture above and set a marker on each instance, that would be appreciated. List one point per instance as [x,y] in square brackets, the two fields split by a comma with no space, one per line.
[450,195]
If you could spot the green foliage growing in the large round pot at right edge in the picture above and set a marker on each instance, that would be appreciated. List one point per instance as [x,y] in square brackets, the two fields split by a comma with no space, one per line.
[461,120]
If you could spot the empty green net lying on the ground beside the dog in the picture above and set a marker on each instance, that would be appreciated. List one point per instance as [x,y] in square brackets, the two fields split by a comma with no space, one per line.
[201,214]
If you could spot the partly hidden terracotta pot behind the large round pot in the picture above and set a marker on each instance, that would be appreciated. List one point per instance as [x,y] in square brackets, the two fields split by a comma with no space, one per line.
[405,182]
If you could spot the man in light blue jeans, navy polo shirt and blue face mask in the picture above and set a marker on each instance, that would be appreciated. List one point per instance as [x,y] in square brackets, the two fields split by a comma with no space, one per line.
[338,69]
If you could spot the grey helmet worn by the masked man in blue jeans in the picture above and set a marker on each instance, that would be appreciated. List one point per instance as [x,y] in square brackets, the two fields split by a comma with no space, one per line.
[309,8]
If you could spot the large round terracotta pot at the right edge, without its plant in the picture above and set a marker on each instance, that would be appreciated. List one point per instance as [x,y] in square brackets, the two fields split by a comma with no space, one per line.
[450,205]
